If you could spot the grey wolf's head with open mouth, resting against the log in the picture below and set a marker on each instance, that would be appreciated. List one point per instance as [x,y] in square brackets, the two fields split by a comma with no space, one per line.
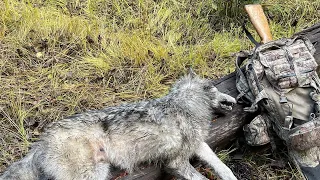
[193,88]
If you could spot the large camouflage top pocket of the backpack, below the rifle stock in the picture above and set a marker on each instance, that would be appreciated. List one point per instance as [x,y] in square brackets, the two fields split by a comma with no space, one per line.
[288,66]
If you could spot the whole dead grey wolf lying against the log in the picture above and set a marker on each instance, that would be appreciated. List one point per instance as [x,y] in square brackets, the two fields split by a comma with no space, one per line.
[169,130]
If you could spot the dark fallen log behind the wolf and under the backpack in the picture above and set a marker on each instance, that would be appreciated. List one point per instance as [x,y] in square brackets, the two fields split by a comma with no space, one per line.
[224,128]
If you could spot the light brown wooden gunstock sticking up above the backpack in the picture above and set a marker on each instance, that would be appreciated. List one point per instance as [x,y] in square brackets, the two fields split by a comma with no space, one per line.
[259,21]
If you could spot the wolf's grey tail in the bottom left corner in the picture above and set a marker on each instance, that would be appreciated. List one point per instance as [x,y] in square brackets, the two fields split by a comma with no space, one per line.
[25,169]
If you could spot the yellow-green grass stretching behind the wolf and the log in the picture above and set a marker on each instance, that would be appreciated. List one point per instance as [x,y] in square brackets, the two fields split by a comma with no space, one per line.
[62,57]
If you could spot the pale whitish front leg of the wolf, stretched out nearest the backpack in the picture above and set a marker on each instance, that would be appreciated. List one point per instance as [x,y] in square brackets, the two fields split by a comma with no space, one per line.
[205,153]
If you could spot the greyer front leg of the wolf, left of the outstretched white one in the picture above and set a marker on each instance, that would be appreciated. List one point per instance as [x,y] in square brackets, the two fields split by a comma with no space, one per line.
[184,170]
